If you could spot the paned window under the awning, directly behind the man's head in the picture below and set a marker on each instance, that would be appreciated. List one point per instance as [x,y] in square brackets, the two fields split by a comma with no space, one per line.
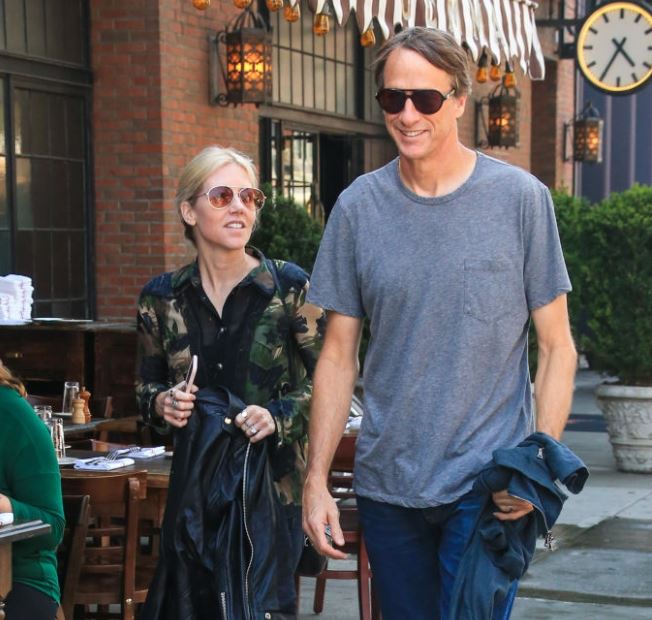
[324,127]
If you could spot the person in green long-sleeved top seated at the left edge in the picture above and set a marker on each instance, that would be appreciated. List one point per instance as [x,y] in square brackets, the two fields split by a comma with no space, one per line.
[30,488]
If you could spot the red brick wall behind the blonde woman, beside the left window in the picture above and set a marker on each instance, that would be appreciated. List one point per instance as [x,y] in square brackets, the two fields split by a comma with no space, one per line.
[151,114]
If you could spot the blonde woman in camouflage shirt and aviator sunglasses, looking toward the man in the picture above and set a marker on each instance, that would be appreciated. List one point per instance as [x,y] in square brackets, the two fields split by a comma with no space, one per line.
[226,308]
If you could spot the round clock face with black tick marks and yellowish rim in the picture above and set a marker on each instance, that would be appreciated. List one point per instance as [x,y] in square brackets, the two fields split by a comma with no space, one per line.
[614,47]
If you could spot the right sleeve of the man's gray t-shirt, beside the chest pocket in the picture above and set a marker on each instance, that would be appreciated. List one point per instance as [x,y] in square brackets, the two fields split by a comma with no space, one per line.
[545,271]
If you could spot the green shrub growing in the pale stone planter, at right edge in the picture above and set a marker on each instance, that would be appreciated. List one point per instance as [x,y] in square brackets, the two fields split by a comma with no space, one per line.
[616,244]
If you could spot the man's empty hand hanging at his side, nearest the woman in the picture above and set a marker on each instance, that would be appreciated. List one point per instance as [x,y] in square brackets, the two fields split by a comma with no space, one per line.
[319,512]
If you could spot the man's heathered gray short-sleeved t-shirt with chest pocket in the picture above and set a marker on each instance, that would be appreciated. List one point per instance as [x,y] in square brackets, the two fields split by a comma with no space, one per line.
[447,284]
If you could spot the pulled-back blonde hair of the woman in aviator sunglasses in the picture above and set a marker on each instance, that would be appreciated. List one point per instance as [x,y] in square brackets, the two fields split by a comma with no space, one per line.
[200,167]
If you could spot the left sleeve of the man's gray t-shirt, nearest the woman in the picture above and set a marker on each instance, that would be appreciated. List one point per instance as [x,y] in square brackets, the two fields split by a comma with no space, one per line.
[334,283]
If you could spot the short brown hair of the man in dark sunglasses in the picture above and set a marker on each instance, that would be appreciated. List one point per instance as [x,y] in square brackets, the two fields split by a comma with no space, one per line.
[439,48]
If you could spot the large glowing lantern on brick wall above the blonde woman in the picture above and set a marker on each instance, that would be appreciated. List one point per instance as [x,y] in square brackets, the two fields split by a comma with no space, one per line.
[246,70]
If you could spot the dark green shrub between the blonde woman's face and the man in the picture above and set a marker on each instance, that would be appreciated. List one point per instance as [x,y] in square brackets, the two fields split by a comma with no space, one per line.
[286,231]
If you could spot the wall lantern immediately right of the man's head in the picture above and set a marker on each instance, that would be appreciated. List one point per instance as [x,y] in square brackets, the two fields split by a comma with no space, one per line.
[499,125]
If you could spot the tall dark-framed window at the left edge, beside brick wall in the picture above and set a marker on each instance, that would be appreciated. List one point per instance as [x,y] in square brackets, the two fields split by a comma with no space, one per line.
[44,164]
